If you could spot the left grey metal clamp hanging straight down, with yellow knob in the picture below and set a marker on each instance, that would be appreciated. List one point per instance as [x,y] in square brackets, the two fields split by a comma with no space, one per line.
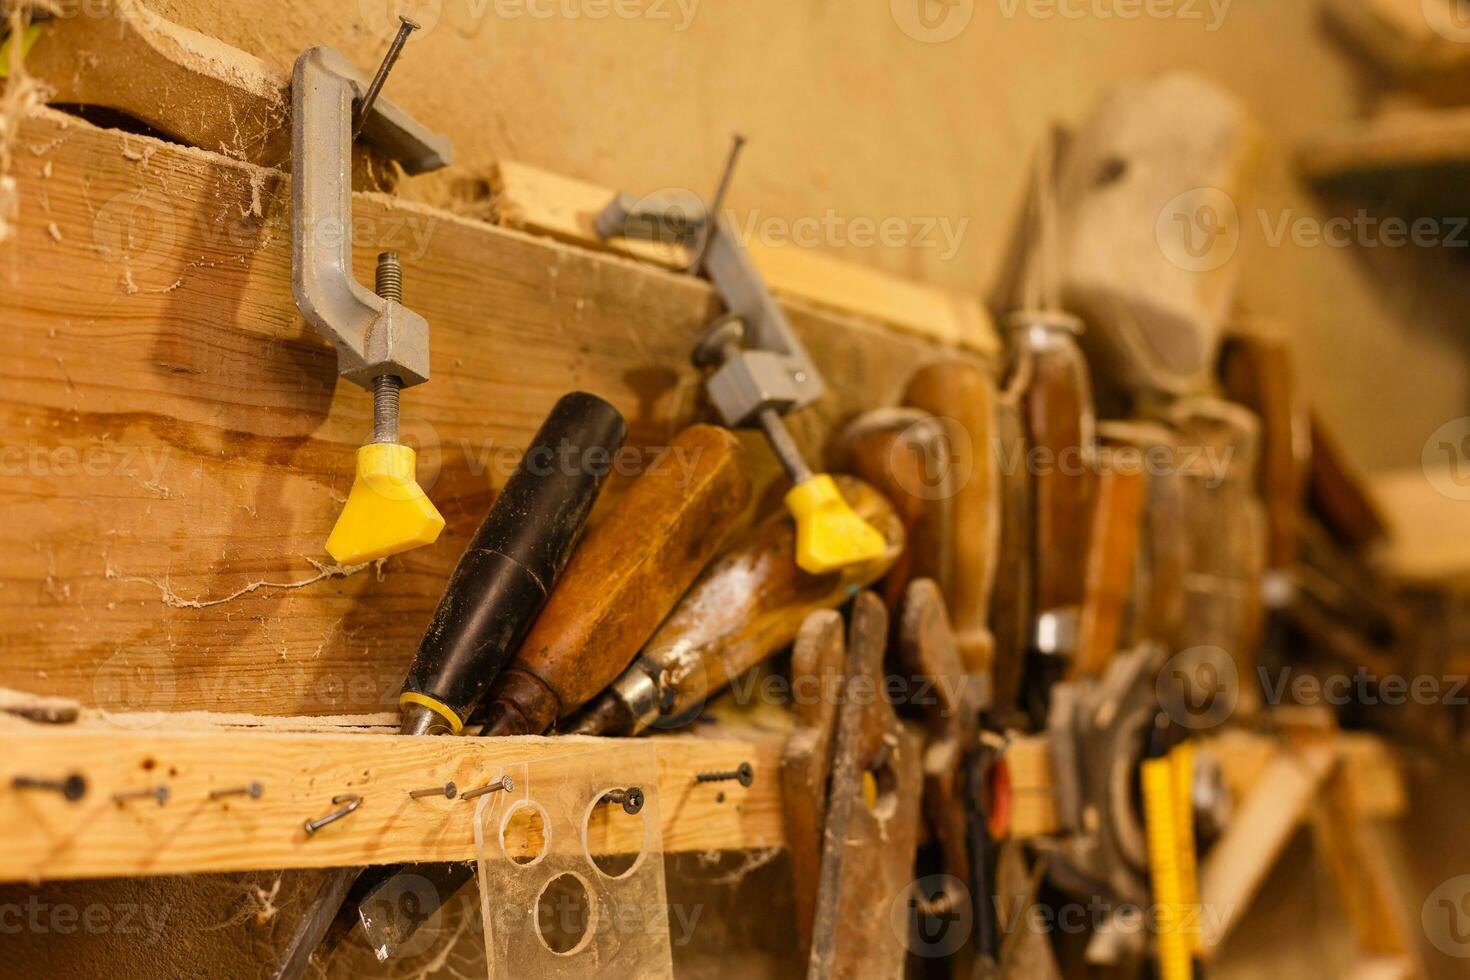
[381,345]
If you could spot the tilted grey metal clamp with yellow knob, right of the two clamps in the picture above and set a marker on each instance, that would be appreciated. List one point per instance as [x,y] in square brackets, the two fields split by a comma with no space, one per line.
[761,370]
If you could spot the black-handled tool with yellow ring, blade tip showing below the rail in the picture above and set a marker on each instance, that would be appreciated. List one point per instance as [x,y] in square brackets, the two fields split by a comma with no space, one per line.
[493,596]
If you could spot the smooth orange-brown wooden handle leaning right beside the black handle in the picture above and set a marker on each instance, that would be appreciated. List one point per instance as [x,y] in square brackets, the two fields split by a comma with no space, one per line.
[623,581]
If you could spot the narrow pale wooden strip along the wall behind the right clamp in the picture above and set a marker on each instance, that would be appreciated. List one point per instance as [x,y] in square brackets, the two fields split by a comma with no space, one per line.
[534,201]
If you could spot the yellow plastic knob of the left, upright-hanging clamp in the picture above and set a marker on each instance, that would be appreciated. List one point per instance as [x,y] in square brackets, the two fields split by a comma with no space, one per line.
[387,512]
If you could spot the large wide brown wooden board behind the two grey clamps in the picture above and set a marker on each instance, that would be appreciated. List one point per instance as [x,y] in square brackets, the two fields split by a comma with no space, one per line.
[177,446]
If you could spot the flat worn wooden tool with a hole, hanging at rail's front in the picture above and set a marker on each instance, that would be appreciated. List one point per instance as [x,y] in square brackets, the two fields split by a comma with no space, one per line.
[871,834]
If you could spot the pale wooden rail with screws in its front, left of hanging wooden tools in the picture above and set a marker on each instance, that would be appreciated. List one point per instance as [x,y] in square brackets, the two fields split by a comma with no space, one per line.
[51,838]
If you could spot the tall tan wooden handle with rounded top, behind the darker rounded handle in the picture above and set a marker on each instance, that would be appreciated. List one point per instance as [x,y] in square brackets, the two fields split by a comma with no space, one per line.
[962,397]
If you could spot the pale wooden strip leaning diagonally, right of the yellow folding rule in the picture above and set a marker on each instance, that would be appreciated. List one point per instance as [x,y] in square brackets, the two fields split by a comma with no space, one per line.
[1256,837]
